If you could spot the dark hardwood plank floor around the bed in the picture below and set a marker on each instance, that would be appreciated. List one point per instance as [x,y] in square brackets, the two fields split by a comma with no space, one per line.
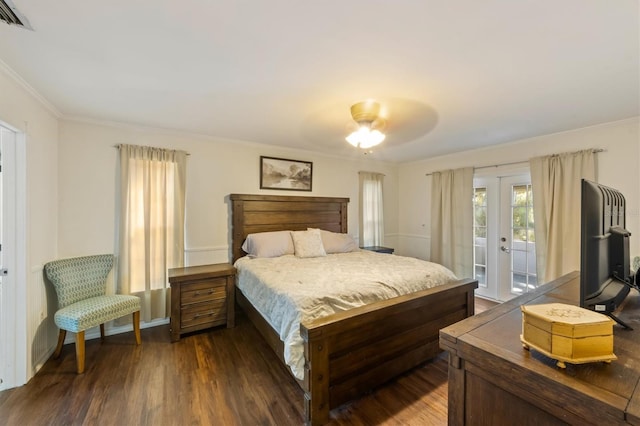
[219,377]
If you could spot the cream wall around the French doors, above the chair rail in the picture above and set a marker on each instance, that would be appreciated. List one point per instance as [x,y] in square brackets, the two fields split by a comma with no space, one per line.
[618,167]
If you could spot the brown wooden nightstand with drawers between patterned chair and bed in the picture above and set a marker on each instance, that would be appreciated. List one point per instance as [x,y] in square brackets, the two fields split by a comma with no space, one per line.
[201,297]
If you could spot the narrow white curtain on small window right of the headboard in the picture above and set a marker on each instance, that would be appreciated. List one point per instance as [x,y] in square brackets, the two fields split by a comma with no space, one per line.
[371,209]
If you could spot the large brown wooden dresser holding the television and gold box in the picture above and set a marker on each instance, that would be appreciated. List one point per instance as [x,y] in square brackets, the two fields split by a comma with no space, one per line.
[493,380]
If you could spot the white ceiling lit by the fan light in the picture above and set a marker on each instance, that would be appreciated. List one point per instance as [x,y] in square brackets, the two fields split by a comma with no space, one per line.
[451,75]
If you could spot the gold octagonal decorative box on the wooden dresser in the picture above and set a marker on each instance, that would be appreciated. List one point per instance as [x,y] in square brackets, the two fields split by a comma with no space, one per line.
[567,333]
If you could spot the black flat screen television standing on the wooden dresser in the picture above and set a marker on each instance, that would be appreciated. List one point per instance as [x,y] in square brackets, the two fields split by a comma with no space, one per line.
[604,258]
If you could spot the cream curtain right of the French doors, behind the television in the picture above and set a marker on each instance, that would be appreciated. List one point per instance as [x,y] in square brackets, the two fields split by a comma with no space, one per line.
[555,181]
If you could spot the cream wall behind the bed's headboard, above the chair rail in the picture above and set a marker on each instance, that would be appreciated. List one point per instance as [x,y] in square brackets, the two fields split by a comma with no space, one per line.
[215,169]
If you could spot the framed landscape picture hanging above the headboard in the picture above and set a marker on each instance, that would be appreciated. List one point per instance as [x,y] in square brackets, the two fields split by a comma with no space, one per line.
[285,174]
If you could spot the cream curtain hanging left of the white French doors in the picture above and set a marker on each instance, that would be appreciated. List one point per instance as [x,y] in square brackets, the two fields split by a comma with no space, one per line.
[452,220]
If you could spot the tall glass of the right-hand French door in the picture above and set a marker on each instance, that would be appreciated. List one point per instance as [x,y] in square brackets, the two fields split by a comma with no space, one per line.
[523,255]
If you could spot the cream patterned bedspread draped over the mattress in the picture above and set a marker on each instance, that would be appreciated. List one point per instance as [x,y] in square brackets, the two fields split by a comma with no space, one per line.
[288,290]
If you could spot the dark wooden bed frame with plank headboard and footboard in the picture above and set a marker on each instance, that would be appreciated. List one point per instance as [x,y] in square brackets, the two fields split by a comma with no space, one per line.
[348,353]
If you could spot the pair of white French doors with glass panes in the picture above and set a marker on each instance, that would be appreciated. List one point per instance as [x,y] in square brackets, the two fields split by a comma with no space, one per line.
[504,239]
